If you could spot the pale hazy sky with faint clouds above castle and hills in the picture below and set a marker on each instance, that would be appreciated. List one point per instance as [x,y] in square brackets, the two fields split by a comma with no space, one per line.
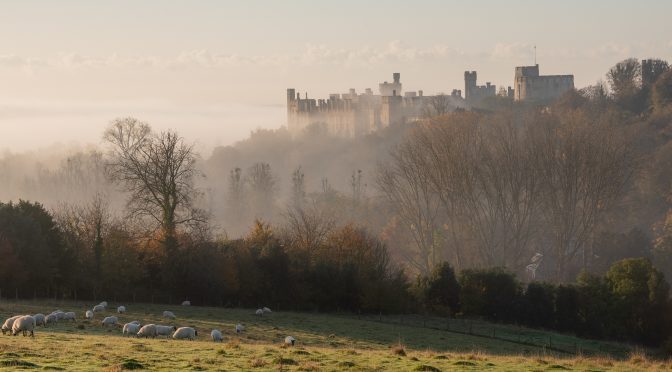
[214,70]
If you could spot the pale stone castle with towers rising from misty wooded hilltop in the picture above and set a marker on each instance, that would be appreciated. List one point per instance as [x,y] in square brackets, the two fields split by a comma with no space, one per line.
[352,114]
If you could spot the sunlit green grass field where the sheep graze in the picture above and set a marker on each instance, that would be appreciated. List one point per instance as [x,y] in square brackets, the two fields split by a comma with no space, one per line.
[324,343]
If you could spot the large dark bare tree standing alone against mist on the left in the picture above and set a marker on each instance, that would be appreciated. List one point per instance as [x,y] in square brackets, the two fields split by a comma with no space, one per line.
[157,169]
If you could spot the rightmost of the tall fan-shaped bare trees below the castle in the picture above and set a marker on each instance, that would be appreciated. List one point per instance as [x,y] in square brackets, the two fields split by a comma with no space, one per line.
[584,167]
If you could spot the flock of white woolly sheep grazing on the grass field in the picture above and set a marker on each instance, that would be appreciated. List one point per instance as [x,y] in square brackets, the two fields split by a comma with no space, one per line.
[27,323]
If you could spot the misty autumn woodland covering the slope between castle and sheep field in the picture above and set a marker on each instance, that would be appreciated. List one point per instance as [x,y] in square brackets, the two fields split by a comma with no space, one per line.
[543,215]
